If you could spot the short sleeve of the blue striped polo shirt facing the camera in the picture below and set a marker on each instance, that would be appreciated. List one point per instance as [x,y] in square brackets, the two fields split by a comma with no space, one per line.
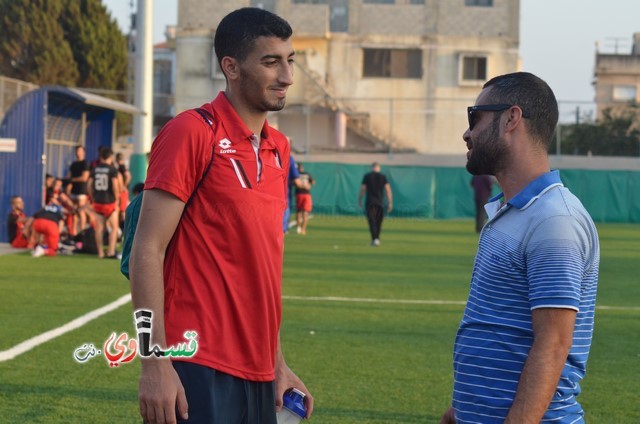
[556,258]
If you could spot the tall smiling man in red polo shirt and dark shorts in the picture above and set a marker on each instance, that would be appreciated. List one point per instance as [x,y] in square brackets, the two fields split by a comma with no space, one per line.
[215,267]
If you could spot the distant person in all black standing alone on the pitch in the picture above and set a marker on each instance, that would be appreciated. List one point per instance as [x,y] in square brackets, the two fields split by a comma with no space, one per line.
[375,185]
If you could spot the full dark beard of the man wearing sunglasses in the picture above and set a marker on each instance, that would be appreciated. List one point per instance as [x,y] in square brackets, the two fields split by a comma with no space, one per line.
[488,153]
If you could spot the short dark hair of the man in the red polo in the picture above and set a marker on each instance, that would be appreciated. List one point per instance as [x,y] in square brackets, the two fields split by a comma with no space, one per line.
[238,31]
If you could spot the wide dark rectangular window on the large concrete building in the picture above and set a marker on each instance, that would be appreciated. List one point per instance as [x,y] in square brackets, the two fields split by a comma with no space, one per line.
[392,63]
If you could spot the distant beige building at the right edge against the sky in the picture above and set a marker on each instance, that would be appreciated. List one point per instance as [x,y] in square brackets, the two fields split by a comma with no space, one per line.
[617,78]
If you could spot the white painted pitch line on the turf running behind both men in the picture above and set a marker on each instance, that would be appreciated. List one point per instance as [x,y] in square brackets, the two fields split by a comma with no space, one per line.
[33,342]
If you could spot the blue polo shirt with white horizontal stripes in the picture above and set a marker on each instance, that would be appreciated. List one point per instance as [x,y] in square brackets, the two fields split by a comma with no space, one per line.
[539,250]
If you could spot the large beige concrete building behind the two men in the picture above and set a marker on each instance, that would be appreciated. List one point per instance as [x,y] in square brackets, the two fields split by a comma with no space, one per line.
[371,75]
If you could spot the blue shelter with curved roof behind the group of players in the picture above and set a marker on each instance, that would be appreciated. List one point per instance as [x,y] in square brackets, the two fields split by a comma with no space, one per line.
[47,124]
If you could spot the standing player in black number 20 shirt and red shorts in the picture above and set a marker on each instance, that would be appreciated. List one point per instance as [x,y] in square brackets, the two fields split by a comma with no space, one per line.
[104,187]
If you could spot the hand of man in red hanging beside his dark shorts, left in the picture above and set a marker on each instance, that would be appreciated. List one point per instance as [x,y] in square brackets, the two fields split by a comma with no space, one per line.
[160,393]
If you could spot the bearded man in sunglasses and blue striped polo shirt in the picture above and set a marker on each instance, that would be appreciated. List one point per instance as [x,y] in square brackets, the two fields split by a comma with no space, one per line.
[522,346]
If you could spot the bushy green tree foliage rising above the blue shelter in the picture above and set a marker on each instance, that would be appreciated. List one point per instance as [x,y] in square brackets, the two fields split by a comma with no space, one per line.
[65,42]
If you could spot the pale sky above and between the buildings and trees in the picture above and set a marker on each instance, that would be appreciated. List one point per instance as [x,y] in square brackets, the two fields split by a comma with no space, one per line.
[557,40]
